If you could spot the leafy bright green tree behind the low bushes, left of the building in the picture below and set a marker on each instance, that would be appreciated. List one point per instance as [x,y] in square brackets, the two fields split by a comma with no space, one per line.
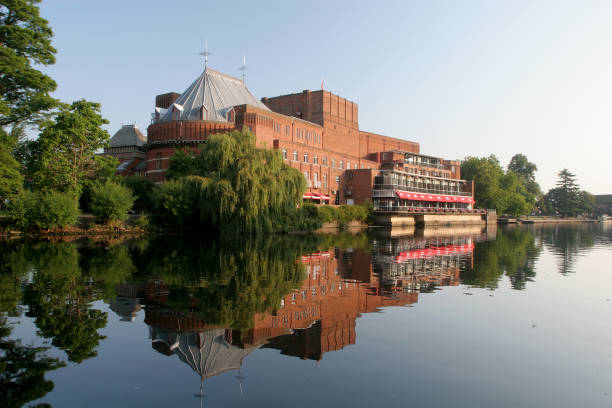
[64,156]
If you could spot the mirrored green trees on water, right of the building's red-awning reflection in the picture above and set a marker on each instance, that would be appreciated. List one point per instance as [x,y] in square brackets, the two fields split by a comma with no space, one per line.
[513,253]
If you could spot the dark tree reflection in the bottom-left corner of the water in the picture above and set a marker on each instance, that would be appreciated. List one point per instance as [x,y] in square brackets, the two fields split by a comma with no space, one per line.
[22,371]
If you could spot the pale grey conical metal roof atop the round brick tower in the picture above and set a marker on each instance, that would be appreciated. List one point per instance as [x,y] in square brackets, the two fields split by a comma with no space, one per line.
[214,90]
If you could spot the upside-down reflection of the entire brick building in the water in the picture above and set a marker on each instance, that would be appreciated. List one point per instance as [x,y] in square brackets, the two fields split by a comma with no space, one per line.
[318,317]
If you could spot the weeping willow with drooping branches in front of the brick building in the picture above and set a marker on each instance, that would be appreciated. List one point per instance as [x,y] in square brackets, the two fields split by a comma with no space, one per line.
[232,185]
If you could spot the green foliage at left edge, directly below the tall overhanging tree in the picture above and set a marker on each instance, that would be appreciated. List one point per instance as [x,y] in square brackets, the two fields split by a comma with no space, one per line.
[11,179]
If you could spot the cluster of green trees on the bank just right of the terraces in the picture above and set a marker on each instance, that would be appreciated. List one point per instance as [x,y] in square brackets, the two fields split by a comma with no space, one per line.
[505,192]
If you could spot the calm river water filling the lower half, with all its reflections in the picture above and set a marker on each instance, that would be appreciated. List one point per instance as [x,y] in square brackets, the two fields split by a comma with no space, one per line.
[450,317]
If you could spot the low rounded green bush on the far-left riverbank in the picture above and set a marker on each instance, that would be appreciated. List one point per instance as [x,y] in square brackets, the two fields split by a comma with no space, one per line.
[43,210]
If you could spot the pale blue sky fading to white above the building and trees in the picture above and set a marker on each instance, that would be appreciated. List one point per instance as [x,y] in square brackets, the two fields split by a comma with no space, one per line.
[461,78]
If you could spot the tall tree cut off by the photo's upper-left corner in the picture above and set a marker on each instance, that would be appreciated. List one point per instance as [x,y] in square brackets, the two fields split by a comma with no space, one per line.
[25,39]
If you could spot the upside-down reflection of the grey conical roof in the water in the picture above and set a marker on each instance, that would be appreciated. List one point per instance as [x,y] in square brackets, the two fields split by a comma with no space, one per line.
[206,352]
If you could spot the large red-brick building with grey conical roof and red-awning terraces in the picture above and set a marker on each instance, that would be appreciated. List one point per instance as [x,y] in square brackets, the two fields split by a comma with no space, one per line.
[317,133]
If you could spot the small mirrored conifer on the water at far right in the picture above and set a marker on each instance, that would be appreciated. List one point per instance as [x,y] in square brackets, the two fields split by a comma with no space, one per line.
[567,241]
